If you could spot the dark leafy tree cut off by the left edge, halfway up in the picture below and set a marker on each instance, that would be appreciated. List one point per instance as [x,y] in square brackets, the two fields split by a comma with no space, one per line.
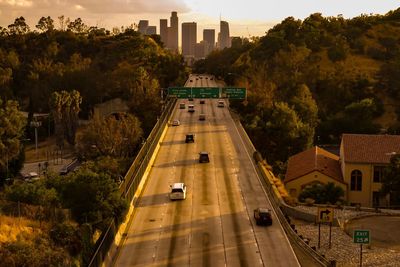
[12,124]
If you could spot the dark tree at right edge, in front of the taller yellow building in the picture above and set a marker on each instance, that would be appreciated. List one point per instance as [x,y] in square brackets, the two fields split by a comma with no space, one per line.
[391,180]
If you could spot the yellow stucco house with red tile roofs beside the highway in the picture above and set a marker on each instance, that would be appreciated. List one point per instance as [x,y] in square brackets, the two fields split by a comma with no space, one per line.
[358,169]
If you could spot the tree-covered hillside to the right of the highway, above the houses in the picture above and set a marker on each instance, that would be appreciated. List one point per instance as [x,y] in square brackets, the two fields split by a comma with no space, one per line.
[311,80]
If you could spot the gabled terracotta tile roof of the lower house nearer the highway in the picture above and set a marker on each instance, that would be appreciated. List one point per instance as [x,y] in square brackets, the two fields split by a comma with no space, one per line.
[313,159]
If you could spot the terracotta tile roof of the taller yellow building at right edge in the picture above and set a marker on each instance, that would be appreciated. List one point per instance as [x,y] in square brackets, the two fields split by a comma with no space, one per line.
[368,148]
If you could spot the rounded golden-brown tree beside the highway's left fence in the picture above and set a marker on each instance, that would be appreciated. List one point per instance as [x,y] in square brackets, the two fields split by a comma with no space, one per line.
[110,137]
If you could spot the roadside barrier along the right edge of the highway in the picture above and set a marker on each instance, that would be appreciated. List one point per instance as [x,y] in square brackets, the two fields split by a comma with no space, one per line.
[277,205]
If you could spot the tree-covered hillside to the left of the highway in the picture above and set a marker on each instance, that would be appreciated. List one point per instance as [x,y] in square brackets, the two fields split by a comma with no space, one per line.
[64,71]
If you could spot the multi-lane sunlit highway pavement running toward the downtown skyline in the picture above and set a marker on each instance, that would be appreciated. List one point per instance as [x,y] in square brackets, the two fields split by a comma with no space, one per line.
[214,226]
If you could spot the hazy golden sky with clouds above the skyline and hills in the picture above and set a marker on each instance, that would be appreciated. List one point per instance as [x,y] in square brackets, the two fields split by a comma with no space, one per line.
[246,17]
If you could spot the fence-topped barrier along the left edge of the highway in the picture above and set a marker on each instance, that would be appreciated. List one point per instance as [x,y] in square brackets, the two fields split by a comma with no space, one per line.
[131,182]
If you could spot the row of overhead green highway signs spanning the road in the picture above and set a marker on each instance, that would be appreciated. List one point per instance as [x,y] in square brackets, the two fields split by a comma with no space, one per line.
[207,92]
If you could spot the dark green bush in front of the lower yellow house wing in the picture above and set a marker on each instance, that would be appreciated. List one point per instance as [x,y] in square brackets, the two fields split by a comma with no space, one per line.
[322,193]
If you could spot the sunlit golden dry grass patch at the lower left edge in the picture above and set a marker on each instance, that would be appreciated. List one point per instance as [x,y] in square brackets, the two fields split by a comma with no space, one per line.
[12,229]
